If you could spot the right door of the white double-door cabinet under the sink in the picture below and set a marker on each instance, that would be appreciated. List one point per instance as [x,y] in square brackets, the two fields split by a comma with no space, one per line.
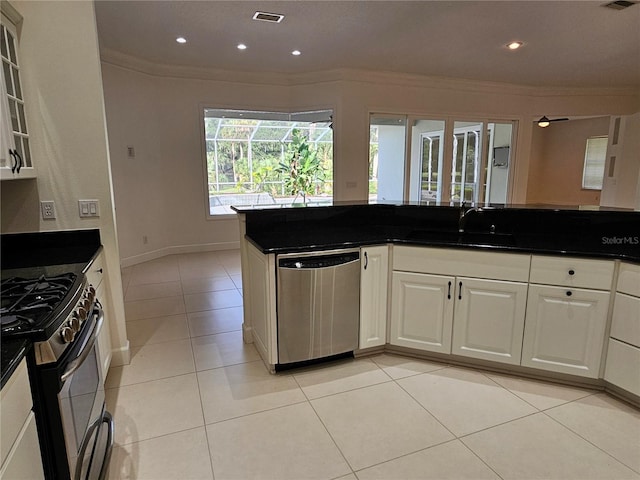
[489,319]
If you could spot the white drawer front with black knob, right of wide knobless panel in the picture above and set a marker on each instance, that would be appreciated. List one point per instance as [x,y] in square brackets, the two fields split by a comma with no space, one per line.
[572,272]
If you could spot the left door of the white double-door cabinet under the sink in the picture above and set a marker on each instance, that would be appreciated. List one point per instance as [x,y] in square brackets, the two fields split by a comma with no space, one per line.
[422,311]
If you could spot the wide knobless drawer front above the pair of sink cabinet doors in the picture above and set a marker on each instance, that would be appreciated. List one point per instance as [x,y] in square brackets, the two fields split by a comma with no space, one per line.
[464,263]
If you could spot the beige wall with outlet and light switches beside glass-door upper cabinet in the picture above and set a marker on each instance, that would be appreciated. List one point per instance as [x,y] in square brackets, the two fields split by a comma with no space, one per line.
[62,83]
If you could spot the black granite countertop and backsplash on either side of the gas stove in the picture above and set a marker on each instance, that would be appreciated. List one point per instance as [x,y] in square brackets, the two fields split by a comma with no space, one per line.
[33,254]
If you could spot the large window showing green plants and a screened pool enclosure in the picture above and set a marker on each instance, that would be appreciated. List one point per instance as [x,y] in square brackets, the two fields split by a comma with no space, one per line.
[267,158]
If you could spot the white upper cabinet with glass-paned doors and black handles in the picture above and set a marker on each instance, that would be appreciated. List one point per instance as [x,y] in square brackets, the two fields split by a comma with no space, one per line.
[15,151]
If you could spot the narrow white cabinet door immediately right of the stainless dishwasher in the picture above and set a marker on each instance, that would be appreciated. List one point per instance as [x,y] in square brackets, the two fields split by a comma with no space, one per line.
[374,270]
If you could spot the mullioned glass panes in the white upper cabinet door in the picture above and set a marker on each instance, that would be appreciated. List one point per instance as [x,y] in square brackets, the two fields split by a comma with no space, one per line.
[15,136]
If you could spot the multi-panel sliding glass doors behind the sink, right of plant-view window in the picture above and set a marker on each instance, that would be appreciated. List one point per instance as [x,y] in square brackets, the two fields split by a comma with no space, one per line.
[407,160]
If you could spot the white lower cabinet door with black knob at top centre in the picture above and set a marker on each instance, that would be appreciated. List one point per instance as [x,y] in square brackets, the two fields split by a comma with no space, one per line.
[565,329]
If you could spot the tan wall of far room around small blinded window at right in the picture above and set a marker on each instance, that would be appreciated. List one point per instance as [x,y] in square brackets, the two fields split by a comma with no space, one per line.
[557,161]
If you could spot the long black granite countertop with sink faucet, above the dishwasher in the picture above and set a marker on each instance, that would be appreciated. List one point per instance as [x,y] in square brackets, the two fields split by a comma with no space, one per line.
[613,234]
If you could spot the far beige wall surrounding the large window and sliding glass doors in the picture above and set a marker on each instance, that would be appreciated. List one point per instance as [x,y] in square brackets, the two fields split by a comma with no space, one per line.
[161,193]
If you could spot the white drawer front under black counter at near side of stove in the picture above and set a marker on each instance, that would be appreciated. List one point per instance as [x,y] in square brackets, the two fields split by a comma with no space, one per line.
[15,405]
